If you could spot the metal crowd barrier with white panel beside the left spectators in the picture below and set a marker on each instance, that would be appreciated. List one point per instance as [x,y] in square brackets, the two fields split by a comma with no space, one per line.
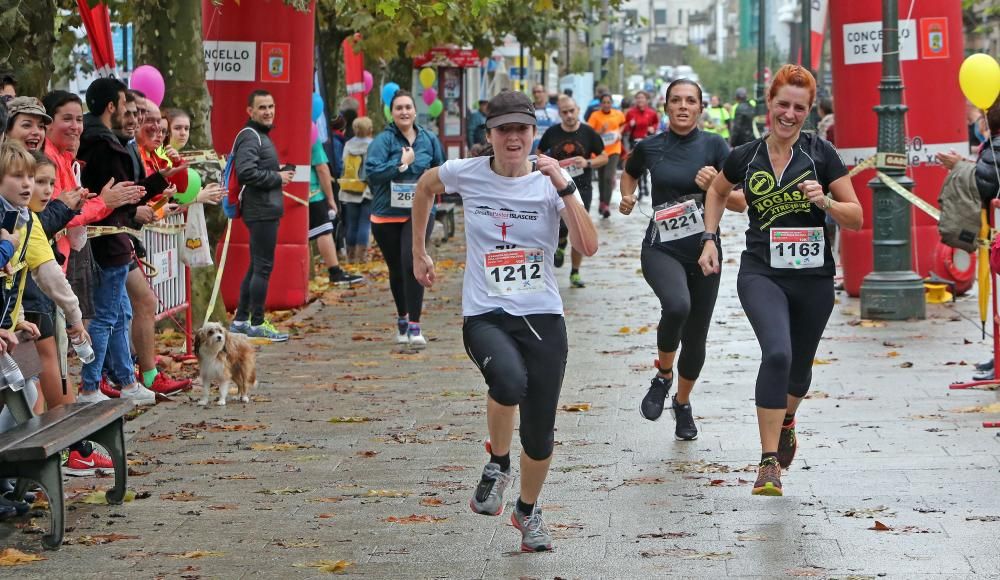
[172,283]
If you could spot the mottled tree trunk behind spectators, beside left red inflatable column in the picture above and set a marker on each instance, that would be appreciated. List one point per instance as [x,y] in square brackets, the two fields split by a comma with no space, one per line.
[177,52]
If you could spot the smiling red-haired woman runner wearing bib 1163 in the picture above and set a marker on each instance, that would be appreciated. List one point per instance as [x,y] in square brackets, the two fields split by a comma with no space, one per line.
[793,181]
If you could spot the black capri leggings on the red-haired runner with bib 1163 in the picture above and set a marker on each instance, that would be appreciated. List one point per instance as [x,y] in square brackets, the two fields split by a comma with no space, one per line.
[788,315]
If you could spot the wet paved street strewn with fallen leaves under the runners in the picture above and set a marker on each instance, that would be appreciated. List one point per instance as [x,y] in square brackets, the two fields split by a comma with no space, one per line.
[271,488]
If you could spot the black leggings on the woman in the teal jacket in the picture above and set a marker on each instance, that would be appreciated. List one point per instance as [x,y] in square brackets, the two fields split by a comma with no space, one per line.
[395,240]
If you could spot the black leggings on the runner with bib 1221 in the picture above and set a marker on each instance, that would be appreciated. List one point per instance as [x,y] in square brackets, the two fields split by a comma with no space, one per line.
[687,299]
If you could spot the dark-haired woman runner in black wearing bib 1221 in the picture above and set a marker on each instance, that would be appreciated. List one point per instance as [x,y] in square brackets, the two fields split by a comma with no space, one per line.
[682,162]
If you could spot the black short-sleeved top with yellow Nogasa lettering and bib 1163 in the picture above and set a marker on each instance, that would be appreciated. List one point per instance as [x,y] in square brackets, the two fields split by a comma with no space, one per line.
[786,234]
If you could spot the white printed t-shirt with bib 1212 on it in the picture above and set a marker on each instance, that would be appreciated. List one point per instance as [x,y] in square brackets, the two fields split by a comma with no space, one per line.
[511,232]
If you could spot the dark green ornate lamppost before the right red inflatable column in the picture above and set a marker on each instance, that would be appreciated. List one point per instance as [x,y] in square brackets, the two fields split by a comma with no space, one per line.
[892,291]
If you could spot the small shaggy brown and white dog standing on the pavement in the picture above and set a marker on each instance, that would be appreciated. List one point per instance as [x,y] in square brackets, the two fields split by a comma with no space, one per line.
[226,358]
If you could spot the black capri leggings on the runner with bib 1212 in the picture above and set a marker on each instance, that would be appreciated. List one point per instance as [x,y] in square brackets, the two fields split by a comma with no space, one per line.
[523,359]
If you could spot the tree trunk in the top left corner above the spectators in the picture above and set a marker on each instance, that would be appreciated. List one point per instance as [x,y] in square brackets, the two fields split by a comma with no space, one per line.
[29,36]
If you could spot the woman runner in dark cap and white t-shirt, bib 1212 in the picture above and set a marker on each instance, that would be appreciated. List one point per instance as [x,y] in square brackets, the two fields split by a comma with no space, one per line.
[513,329]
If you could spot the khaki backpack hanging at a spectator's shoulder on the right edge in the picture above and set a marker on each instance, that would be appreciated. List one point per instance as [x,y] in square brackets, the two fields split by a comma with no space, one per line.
[960,208]
